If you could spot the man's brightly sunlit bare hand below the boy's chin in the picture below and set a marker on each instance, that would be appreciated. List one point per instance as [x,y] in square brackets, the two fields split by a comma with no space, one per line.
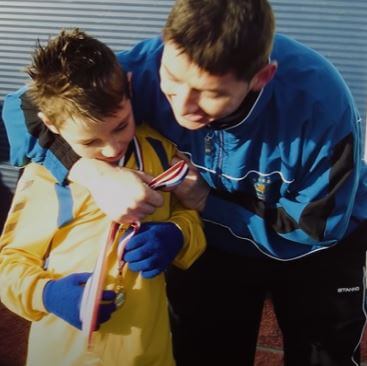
[123,194]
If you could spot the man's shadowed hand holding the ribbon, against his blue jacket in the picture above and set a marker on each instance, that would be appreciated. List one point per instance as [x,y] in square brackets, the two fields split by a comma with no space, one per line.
[193,191]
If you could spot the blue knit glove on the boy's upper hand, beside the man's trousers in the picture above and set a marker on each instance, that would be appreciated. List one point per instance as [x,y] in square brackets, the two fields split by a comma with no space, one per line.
[153,248]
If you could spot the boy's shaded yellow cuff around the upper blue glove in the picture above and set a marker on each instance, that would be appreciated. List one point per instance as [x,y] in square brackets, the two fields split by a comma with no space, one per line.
[192,229]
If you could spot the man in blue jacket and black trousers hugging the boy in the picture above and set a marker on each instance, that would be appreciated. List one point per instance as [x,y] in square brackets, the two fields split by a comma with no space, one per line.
[274,140]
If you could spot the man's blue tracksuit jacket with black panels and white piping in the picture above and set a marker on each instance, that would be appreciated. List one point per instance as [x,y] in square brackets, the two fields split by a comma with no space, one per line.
[287,180]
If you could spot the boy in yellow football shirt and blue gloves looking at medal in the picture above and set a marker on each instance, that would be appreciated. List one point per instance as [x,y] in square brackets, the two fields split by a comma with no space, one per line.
[83,97]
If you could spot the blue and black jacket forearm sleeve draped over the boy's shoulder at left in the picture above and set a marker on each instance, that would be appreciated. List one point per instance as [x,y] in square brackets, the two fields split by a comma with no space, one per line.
[30,139]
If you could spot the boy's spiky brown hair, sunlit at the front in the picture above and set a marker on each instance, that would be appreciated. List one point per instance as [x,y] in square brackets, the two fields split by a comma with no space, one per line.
[75,75]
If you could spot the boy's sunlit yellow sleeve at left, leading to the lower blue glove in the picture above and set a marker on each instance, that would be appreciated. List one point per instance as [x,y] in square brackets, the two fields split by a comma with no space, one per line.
[27,235]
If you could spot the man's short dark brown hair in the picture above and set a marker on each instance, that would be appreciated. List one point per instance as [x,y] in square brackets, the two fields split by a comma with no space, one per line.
[222,36]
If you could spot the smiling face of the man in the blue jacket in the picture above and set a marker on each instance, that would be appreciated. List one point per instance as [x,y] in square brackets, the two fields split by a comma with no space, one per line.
[198,98]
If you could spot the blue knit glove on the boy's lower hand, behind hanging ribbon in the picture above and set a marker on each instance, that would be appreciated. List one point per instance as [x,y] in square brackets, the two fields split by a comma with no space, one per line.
[62,297]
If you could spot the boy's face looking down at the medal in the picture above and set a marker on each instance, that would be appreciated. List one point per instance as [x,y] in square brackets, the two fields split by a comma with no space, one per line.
[106,140]
